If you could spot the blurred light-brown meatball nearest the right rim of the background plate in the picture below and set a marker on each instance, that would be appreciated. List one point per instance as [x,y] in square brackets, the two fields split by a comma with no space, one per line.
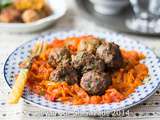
[30,16]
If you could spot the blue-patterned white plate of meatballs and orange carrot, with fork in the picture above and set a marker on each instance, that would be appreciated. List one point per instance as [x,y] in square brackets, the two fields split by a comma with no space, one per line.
[84,72]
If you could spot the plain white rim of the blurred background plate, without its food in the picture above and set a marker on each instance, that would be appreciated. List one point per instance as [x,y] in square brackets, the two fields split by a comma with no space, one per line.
[59,9]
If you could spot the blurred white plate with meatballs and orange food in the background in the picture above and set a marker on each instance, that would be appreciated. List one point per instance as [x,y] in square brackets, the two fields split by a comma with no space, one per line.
[29,15]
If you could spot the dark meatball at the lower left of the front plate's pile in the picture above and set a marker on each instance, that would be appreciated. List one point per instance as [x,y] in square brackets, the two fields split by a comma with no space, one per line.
[64,73]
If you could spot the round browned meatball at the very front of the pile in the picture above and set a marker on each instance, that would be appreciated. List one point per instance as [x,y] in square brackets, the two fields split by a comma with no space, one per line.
[95,82]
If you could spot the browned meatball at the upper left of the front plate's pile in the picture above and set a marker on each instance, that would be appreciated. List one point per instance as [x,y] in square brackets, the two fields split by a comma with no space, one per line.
[59,56]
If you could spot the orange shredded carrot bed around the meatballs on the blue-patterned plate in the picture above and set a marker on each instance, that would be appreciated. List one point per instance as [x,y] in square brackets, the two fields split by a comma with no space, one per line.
[124,80]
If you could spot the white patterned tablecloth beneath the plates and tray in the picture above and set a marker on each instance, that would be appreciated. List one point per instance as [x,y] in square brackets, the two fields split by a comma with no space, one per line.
[148,110]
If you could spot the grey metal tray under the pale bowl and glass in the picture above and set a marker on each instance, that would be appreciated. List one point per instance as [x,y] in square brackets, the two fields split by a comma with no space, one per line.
[114,22]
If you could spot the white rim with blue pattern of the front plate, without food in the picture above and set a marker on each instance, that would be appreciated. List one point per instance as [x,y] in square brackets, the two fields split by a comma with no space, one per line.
[151,83]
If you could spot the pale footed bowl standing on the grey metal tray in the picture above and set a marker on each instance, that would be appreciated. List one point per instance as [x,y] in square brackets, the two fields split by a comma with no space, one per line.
[109,7]
